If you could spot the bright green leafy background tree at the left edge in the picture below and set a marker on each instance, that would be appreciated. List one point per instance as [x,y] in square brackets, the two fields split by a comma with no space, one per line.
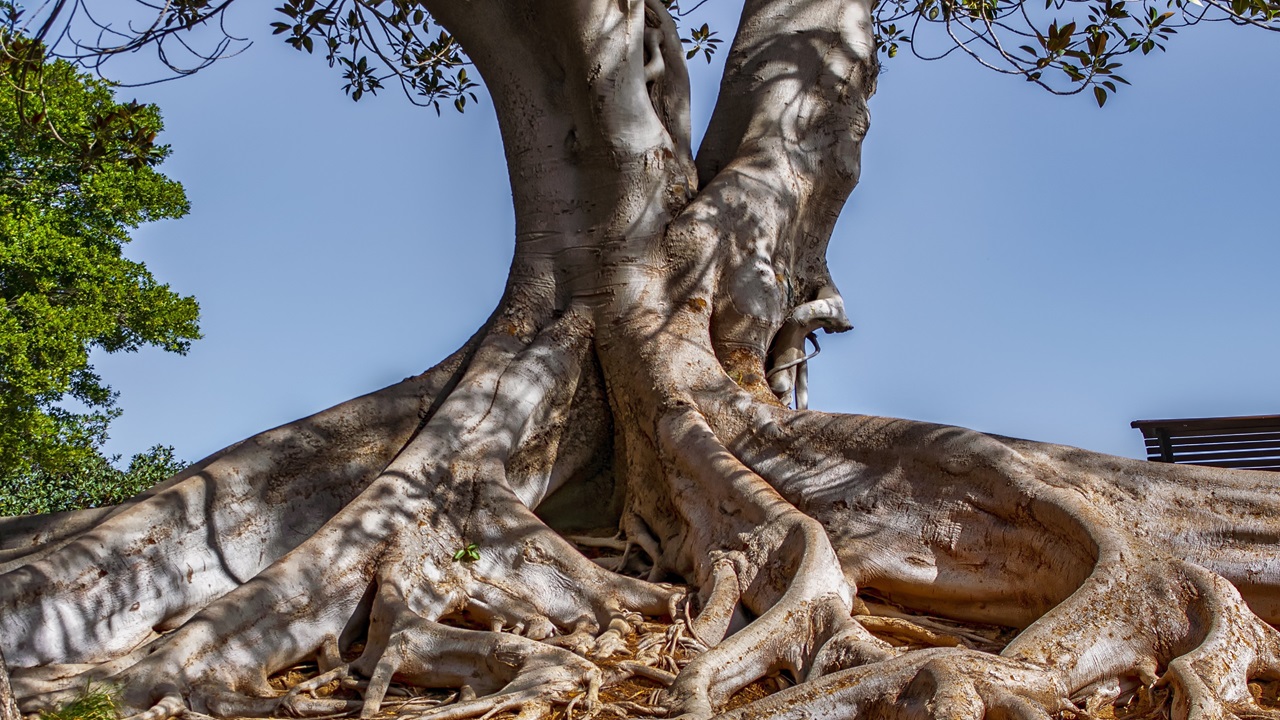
[77,174]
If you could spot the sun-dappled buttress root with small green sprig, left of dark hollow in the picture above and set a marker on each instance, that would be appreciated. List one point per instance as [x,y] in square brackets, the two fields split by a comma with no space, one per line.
[438,563]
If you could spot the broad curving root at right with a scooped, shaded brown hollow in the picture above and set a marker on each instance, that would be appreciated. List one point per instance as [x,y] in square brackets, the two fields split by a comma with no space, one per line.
[1142,623]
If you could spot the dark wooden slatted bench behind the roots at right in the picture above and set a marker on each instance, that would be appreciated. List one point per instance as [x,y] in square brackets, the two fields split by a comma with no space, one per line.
[1251,443]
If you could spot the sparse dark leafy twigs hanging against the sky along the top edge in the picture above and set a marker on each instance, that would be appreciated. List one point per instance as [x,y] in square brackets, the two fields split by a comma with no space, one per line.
[1066,47]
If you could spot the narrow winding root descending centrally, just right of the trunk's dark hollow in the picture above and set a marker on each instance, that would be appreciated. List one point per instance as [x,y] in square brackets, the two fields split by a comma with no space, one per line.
[774,599]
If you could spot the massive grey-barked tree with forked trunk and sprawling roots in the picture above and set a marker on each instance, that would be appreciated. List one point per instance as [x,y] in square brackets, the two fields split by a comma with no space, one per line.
[636,379]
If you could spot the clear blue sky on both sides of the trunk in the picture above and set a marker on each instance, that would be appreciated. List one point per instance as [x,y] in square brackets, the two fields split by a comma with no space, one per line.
[1013,262]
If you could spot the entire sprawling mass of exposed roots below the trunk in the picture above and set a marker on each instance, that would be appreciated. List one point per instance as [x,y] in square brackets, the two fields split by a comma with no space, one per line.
[440,571]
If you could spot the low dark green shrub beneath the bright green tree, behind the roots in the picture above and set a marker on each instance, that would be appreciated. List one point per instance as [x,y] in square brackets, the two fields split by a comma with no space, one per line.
[92,482]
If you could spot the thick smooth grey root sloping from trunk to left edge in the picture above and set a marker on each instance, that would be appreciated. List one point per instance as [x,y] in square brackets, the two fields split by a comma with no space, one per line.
[90,595]
